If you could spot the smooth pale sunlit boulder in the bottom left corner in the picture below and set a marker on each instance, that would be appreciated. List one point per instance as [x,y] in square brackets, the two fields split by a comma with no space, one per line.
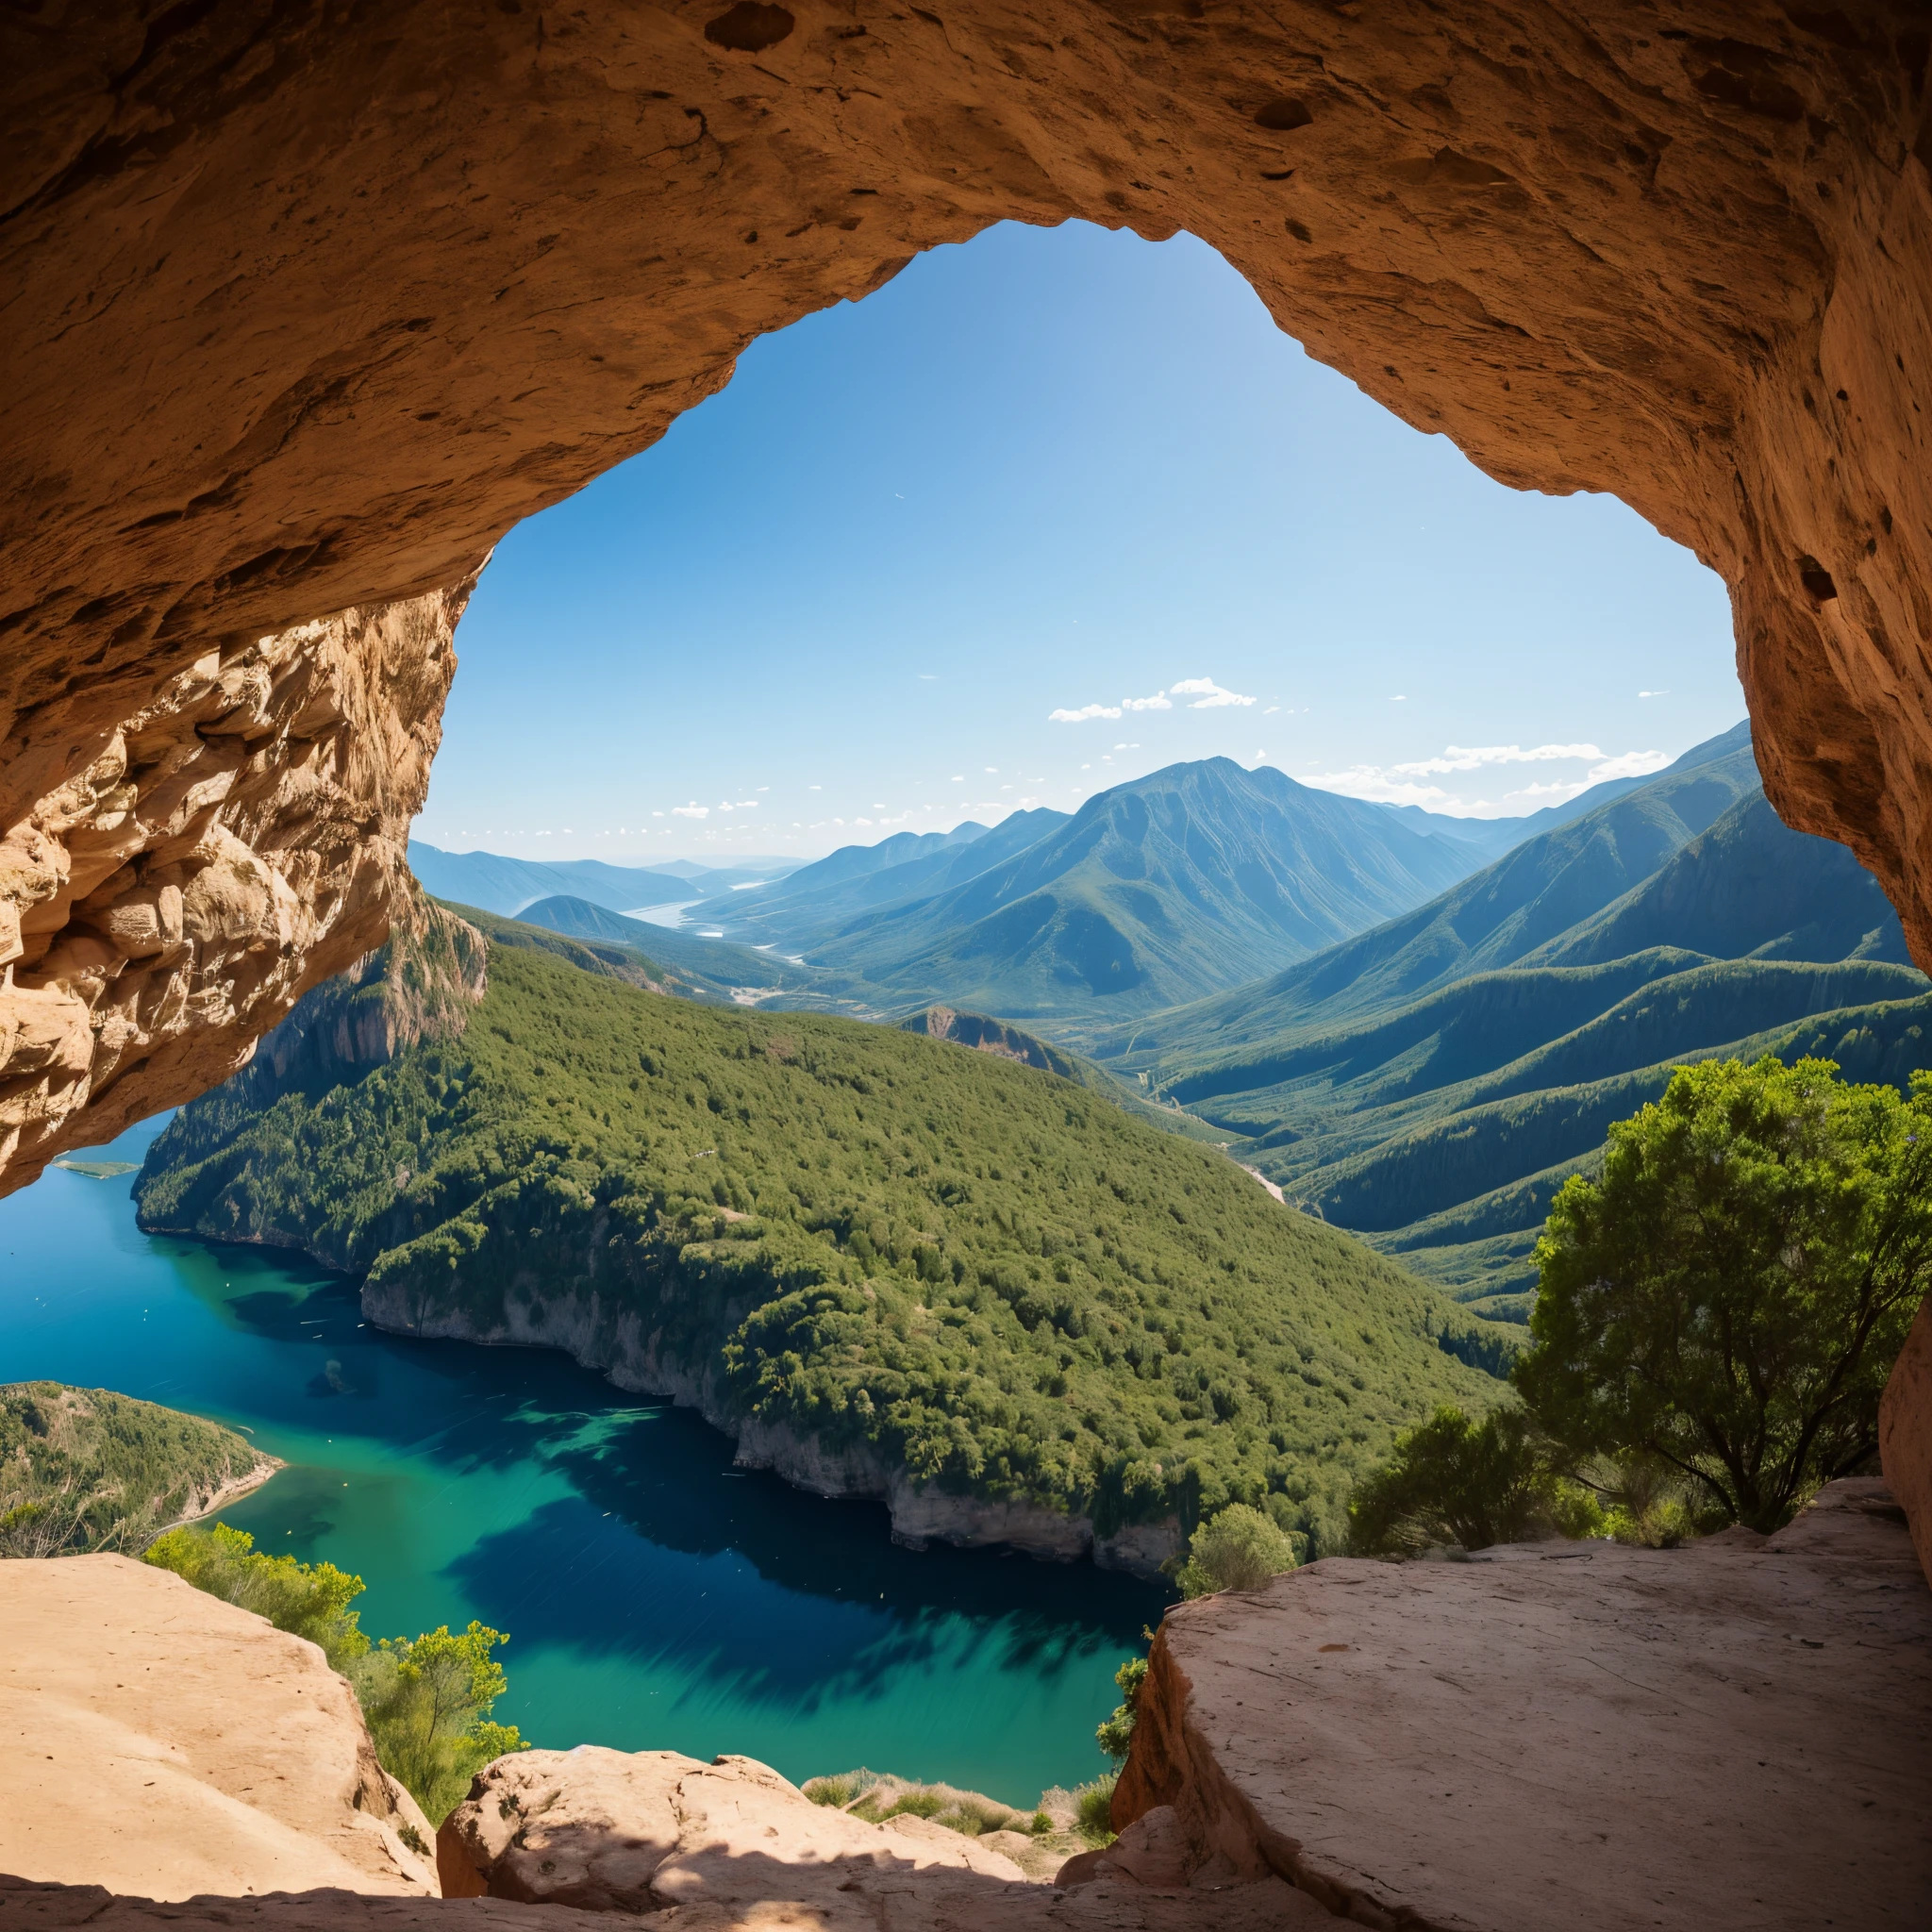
[165,1744]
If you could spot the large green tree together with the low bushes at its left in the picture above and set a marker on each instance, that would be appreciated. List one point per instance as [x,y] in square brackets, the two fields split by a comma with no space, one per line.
[1715,1326]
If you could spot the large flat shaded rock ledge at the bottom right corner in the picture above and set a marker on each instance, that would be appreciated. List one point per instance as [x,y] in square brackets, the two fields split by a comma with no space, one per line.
[1564,1736]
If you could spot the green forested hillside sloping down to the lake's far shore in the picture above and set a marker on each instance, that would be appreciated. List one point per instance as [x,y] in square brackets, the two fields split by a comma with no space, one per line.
[994,1278]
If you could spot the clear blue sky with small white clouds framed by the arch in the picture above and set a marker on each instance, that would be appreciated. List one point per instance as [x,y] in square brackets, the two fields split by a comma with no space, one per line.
[1050,511]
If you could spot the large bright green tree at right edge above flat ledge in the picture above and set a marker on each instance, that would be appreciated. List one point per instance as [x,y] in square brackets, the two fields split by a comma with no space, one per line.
[1732,1293]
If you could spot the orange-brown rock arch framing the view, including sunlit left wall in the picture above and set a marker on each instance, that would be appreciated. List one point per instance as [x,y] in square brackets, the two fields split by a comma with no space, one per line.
[306,304]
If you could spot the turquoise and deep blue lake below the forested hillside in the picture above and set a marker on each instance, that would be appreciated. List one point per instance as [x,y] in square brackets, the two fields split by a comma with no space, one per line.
[656,1597]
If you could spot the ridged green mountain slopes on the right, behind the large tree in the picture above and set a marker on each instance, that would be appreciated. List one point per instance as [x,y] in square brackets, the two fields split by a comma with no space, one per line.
[1433,1085]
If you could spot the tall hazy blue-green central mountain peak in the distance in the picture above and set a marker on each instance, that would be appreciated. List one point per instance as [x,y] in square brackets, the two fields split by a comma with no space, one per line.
[1193,878]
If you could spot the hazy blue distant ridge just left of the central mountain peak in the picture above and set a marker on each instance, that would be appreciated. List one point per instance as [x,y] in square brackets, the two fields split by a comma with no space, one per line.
[818,901]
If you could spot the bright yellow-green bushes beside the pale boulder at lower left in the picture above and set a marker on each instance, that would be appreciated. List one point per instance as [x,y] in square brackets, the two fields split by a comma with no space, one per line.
[428,1701]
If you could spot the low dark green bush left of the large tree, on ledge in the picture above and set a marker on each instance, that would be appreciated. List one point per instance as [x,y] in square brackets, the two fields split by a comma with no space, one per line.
[1454,1481]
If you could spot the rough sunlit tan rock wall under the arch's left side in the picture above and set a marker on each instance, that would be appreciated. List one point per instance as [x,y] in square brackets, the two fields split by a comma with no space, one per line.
[177,874]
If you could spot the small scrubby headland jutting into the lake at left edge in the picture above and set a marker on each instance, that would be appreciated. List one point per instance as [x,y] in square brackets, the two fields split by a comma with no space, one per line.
[86,1469]
